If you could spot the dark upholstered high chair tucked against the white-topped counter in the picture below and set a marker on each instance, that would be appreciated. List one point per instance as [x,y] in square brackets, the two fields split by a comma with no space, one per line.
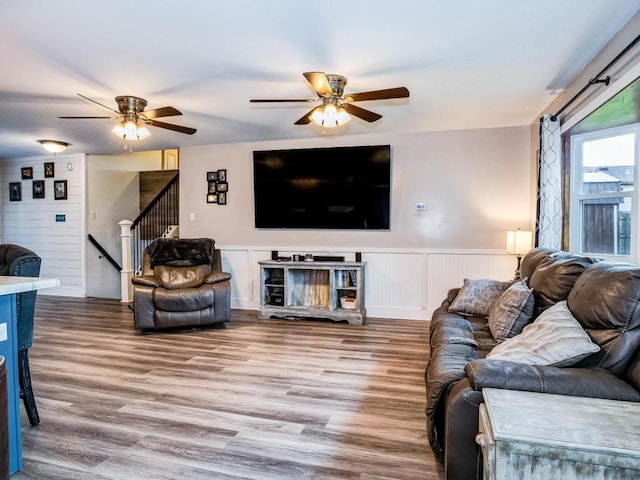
[16,260]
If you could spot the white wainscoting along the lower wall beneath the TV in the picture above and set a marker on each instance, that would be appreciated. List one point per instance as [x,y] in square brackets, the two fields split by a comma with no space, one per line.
[399,283]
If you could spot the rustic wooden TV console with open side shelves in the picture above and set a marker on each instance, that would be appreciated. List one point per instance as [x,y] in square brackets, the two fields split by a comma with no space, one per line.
[325,290]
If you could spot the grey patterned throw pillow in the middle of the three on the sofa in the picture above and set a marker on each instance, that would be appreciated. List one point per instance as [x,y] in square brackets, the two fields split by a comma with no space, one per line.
[511,312]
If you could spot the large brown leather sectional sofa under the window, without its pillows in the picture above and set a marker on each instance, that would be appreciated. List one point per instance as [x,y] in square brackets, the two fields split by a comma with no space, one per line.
[604,298]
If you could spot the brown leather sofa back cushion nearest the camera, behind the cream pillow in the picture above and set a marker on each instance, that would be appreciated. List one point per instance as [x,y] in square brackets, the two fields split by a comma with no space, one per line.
[605,300]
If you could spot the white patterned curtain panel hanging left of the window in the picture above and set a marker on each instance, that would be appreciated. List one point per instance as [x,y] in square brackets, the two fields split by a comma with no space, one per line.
[549,215]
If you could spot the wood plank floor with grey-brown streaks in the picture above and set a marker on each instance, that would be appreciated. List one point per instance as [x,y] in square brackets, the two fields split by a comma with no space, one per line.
[255,399]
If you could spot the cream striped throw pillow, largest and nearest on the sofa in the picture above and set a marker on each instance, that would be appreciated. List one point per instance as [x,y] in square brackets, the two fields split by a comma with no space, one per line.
[554,338]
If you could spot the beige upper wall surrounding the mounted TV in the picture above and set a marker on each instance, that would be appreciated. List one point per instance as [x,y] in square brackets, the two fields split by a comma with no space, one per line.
[475,184]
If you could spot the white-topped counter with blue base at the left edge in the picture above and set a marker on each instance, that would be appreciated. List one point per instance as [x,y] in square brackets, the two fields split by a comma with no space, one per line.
[9,286]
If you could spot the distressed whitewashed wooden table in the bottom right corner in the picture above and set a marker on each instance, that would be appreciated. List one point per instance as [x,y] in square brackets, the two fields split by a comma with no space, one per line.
[526,436]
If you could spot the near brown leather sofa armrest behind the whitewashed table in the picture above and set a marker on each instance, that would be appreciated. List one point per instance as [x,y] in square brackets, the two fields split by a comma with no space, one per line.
[580,382]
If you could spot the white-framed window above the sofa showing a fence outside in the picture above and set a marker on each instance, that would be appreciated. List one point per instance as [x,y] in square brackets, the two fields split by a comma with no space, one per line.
[604,158]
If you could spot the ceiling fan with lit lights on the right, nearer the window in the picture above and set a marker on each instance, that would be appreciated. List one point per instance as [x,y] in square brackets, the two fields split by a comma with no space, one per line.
[336,106]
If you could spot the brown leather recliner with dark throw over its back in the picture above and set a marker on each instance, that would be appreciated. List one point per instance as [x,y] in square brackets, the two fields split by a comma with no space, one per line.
[182,285]
